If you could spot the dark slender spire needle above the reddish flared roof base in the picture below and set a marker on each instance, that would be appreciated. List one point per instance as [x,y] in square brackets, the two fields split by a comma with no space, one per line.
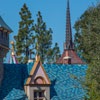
[68,42]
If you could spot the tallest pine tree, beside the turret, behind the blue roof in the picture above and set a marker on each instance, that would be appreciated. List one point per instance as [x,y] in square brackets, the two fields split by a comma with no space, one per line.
[24,38]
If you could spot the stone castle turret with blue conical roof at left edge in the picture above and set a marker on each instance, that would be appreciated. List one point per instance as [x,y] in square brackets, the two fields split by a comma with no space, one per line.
[4,43]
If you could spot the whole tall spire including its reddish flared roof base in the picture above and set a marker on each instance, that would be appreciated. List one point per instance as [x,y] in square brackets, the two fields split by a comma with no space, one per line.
[69,55]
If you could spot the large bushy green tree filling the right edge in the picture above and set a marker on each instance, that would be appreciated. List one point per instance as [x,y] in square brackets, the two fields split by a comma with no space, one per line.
[87,41]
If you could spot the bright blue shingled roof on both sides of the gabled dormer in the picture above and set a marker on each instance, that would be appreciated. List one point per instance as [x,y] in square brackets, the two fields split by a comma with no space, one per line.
[63,85]
